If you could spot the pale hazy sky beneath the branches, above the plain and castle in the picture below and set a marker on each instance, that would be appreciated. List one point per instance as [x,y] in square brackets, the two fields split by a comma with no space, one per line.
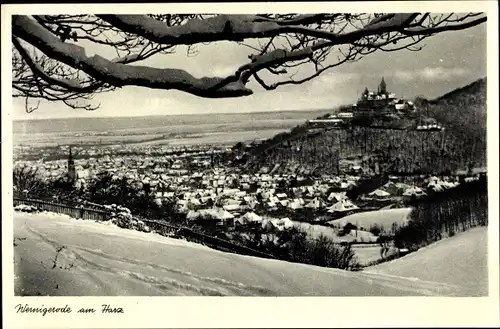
[448,61]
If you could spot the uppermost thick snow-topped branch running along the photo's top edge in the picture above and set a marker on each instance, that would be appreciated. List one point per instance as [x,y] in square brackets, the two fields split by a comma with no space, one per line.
[241,27]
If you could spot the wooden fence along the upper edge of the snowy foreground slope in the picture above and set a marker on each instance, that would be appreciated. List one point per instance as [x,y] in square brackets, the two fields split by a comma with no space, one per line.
[158,226]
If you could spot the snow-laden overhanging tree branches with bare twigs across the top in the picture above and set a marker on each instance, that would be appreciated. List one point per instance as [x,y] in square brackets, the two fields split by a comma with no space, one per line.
[50,60]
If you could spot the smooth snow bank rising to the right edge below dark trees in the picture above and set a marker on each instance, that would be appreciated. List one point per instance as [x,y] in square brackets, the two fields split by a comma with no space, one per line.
[460,260]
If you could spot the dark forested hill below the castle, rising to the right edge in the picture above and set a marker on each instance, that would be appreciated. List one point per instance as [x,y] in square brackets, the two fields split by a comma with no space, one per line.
[460,146]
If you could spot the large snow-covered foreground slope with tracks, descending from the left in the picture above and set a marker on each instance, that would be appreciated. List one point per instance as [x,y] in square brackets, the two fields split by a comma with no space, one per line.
[99,259]
